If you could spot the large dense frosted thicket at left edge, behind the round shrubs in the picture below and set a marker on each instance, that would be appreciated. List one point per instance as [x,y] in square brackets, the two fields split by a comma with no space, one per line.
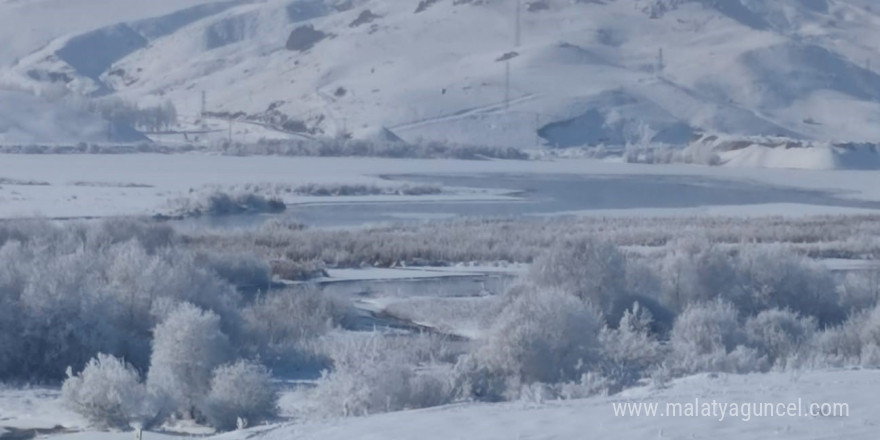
[71,290]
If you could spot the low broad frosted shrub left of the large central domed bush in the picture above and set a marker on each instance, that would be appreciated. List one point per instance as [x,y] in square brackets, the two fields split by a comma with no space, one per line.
[373,373]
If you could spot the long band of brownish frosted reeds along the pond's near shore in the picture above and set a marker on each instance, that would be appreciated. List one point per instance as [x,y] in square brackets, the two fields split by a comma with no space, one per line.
[490,240]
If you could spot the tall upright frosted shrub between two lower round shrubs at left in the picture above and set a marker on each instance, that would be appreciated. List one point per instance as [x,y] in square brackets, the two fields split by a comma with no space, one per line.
[187,346]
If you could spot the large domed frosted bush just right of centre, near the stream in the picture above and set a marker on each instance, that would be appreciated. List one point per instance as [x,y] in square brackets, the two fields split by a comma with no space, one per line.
[543,335]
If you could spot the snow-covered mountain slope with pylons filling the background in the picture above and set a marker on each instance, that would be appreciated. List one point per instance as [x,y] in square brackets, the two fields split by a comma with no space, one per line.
[580,72]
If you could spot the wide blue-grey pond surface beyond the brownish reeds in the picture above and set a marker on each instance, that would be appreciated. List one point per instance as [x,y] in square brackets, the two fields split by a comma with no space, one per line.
[546,194]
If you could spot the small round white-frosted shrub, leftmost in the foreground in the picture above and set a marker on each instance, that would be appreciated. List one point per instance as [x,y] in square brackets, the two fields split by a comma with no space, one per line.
[108,393]
